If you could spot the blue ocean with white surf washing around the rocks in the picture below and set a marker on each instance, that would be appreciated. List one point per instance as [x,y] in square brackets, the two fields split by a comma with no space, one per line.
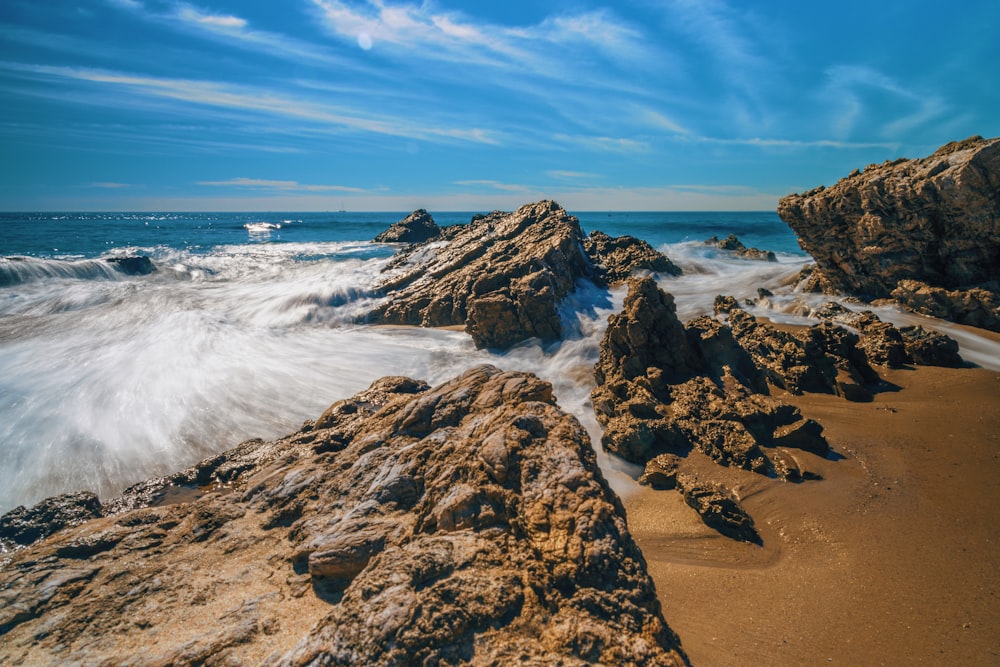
[249,326]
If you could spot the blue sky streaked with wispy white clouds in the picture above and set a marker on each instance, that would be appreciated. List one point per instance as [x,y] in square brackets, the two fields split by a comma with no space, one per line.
[393,105]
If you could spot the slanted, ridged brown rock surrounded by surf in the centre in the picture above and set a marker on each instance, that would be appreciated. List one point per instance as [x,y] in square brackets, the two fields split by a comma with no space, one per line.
[501,276]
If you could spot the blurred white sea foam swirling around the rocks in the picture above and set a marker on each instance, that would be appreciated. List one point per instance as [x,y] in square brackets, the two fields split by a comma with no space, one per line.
[106,382]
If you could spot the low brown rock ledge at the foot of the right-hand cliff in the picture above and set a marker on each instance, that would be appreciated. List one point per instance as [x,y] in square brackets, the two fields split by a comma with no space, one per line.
[975,307]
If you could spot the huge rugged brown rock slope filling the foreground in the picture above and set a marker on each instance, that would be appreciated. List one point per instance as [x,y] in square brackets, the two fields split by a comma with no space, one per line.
[462,524]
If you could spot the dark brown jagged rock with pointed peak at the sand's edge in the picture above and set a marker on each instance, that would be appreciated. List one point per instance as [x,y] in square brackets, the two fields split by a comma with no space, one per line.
[664,389]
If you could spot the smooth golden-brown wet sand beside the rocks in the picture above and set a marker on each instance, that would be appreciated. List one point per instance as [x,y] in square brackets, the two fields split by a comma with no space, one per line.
[891,559]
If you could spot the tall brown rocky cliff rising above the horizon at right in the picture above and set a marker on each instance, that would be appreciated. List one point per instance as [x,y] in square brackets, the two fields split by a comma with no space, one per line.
[934,220]
